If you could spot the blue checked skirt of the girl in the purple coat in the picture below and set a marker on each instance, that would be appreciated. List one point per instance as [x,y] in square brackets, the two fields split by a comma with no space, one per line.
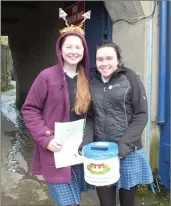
[66,194]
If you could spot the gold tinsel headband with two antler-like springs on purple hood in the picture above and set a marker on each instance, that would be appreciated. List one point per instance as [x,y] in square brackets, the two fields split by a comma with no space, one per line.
[77,28]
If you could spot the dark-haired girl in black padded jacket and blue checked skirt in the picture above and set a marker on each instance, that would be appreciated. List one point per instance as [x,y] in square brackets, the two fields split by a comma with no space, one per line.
[120,114]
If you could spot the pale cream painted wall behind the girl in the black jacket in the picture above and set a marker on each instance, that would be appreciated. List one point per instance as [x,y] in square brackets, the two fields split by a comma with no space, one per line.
[133,40]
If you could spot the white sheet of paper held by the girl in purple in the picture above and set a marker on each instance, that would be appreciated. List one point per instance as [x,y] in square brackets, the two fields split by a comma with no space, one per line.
[70,135]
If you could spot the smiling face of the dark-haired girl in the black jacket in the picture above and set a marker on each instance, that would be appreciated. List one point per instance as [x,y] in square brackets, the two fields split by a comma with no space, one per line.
[106,61]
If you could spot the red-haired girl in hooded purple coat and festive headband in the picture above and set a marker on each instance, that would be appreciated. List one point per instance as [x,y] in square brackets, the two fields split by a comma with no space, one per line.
[57,96]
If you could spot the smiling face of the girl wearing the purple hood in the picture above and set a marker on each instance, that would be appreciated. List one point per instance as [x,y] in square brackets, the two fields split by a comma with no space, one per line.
[72,50]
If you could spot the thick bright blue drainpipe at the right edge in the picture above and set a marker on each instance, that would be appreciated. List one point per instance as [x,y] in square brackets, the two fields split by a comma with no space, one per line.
[162,62]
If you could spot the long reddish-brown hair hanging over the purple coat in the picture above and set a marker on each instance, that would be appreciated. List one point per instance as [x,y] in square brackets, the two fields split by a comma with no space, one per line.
[83,95]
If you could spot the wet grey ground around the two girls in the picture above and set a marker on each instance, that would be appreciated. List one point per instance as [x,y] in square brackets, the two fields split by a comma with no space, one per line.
[19,187]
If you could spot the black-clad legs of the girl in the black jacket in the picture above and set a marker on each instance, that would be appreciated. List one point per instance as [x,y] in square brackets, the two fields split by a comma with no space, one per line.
[107,196]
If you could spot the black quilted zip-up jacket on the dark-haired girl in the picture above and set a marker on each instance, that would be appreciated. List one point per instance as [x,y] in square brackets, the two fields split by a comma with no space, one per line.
[119,110]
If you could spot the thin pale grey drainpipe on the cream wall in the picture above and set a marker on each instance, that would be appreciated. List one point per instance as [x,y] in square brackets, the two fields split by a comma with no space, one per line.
[149,83]
